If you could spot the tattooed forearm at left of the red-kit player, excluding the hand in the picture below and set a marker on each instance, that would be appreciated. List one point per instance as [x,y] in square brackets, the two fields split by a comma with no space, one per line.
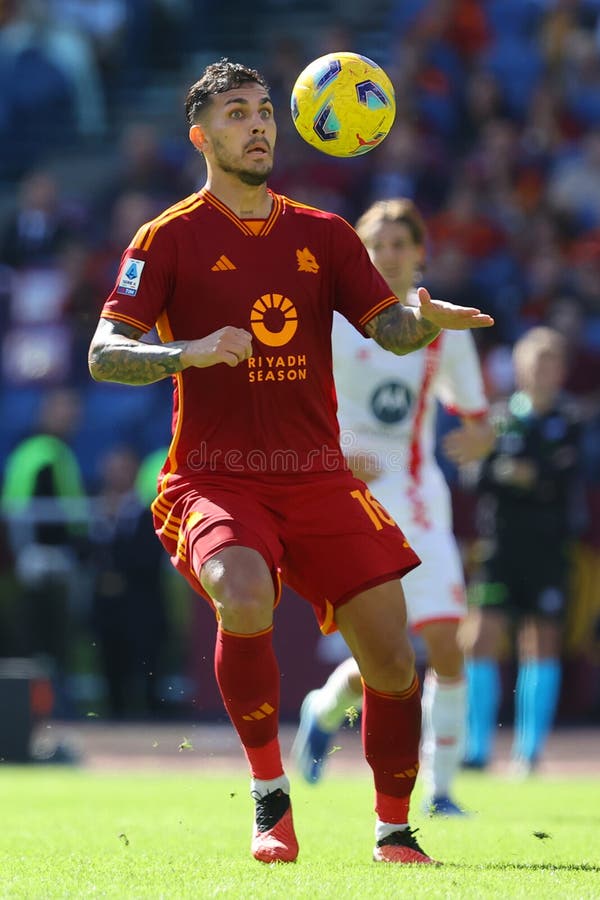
[117,354]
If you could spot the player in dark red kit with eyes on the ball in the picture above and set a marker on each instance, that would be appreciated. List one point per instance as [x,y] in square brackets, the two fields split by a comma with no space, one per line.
[255,490]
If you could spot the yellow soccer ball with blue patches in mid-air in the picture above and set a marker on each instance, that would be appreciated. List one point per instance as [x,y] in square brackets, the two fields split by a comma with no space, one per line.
[343,104]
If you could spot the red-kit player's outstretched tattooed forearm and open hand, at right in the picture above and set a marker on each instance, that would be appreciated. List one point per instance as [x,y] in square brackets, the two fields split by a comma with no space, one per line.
[402,329]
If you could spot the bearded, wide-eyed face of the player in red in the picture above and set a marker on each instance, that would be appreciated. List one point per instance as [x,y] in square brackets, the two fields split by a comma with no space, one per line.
[238,133]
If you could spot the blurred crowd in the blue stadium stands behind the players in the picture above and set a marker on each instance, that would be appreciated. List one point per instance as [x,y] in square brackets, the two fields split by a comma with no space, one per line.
[497,140]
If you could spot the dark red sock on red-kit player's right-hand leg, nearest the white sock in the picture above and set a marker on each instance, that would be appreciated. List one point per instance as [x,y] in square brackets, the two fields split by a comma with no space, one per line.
[391,731]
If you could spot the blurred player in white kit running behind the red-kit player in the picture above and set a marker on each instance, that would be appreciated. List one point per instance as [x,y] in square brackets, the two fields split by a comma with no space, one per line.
[387,414]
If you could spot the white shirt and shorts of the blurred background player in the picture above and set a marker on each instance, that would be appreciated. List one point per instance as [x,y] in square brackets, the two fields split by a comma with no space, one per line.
[387,408]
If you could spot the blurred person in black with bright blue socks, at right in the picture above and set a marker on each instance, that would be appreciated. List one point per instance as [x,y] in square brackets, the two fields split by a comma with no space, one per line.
[527,495]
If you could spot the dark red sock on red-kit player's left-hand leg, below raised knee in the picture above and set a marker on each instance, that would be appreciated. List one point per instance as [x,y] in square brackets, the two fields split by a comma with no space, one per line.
[248,678]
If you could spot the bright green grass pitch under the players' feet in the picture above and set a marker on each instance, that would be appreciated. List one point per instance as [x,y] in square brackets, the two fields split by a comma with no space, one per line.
[74,833]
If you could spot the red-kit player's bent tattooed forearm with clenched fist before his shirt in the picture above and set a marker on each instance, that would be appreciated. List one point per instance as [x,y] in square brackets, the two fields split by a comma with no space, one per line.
[117,353]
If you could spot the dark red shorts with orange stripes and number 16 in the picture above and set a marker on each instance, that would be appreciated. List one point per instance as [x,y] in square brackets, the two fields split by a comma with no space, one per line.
[325,536]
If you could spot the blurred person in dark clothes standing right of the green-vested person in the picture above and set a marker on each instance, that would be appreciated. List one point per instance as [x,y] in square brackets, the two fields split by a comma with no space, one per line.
[128,612]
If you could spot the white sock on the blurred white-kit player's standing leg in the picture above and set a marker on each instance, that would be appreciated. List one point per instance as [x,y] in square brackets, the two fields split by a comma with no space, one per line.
[444,719]
